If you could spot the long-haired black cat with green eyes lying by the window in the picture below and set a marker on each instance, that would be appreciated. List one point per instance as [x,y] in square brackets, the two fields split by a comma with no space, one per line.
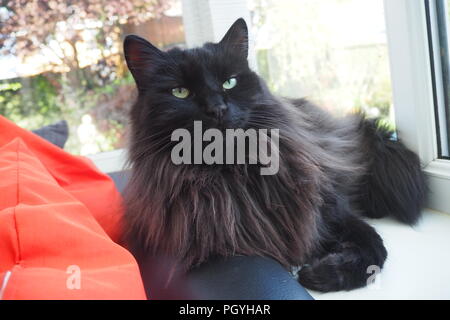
[331,170]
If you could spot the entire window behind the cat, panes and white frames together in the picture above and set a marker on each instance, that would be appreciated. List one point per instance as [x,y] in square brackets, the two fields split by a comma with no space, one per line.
[344,54]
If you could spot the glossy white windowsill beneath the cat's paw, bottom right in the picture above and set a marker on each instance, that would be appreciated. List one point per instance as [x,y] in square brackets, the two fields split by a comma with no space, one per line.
[418,261]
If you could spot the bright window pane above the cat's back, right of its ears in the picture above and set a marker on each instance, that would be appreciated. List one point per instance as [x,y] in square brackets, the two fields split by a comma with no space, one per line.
[333,51]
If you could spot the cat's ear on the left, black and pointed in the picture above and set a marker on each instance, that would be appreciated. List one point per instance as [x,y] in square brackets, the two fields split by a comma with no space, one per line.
[141,57]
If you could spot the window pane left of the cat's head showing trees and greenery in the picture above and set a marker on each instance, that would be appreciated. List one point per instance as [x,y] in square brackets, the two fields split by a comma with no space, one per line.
[63,60]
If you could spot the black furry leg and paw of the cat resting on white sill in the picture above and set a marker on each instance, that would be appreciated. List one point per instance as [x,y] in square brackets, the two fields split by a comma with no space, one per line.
[342,258]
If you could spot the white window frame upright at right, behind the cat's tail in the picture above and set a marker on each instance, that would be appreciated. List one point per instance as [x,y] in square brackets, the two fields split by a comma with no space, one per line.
[413,94]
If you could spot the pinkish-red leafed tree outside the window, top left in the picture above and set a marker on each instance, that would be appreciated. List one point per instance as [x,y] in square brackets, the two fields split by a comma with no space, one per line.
[58,29]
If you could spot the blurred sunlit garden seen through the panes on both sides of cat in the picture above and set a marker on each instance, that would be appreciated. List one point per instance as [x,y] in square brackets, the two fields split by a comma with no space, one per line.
[63,59]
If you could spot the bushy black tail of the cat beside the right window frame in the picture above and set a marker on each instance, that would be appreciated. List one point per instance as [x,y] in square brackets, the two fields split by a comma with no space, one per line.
[395,184]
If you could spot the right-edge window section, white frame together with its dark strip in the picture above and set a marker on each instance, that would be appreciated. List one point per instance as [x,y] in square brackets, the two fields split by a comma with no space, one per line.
[419,72]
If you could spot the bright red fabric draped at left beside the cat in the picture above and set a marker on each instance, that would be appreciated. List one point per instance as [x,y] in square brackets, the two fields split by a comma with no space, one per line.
[58,211]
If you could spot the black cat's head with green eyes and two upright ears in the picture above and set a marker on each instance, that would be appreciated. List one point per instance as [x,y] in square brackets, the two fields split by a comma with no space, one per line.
[212,84]
